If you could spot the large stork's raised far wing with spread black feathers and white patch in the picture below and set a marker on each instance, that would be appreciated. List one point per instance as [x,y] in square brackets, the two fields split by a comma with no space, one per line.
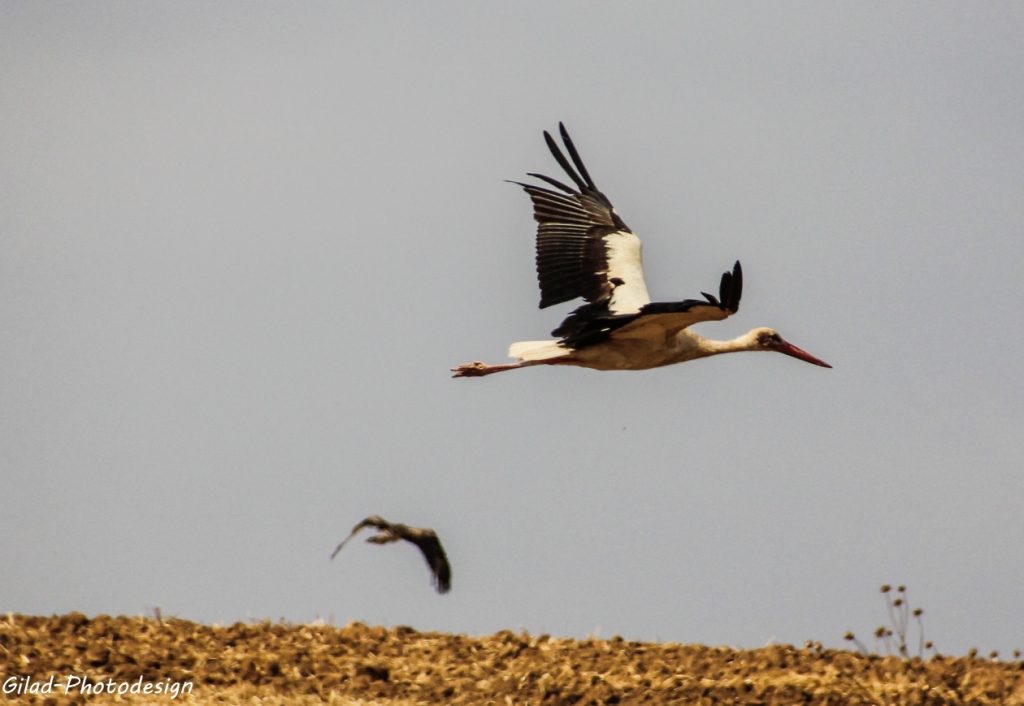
[584,250]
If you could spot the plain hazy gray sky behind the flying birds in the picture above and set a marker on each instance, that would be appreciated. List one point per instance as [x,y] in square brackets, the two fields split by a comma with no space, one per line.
[241,245]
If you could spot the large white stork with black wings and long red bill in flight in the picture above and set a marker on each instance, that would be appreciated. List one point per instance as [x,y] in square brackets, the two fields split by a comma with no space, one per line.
[584,250]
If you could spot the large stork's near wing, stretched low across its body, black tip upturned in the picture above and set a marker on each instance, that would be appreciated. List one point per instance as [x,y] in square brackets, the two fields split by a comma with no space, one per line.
[661,320]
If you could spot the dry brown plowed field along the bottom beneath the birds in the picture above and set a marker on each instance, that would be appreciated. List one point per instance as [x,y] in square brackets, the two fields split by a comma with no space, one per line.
[280,663]
